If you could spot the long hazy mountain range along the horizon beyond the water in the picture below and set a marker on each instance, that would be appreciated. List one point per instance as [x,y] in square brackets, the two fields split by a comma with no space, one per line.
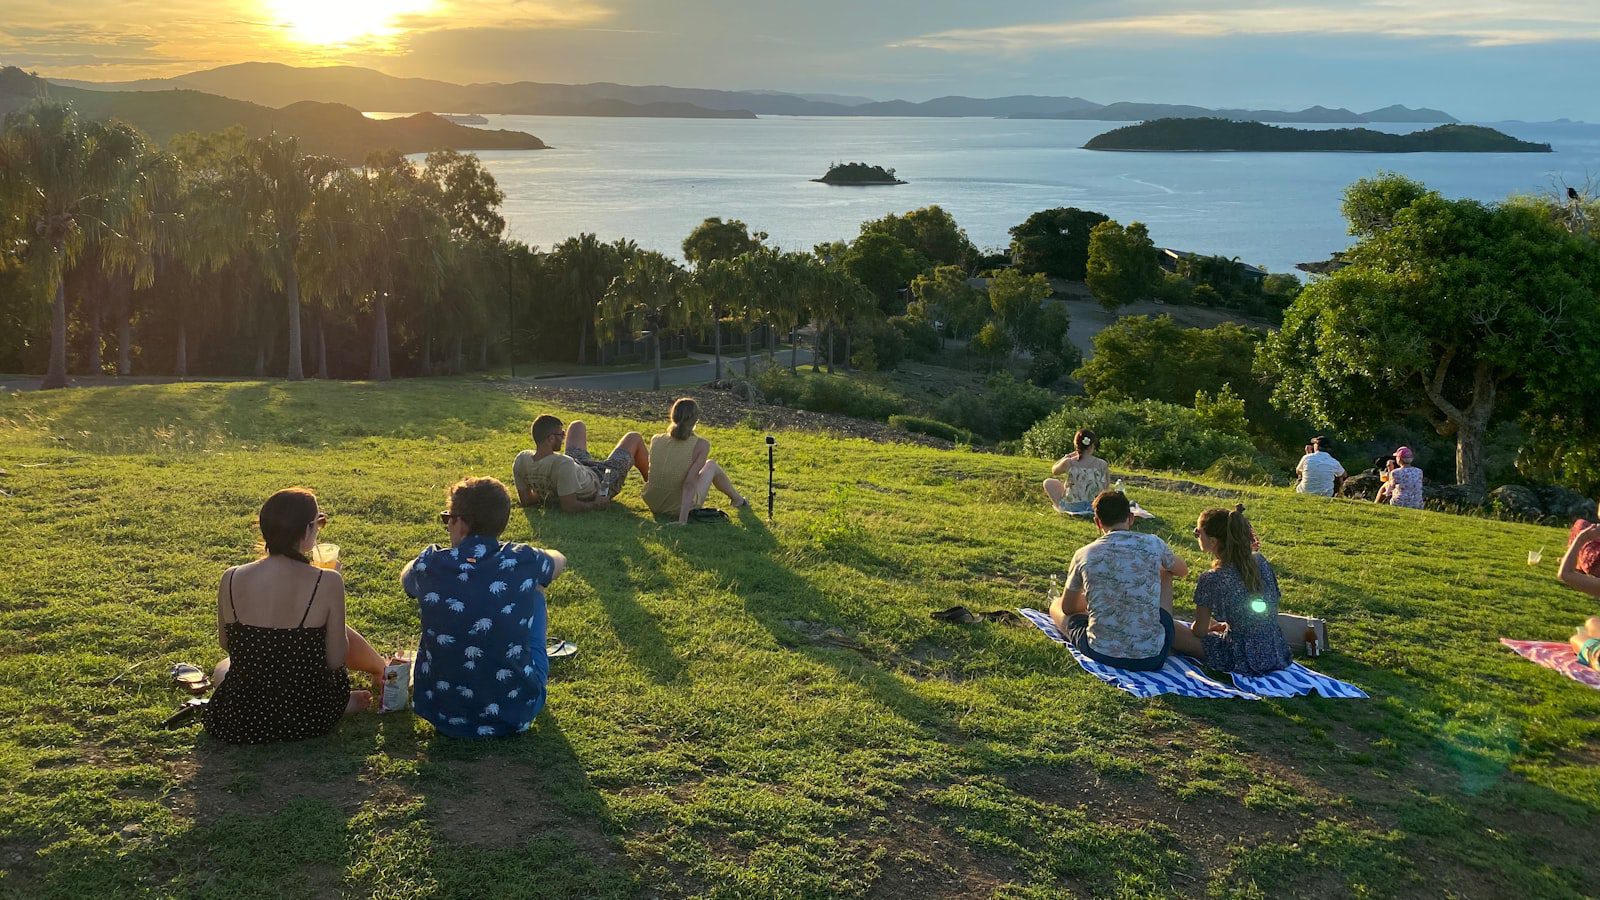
[276,86]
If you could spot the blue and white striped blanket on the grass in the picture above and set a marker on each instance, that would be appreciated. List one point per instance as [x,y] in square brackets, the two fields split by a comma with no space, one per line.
[1183,677]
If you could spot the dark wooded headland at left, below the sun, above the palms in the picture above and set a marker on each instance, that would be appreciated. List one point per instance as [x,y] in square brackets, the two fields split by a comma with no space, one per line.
[322,127]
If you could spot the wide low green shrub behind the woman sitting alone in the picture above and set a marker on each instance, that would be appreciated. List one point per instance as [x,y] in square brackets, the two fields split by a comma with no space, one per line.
[1146,435]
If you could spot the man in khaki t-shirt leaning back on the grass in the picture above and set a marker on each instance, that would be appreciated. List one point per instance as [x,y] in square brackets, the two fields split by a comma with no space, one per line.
[575,480]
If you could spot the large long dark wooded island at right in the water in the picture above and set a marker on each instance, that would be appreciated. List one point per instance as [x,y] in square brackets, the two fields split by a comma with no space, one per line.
[1223,135]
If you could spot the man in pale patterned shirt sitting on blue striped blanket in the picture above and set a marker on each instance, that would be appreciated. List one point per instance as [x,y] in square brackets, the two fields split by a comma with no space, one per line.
[1116,608]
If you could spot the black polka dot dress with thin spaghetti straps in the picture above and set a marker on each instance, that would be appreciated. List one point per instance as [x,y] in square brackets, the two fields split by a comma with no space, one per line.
[279,686]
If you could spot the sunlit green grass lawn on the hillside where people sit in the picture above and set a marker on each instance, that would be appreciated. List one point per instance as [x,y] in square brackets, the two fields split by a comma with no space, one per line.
[756,712]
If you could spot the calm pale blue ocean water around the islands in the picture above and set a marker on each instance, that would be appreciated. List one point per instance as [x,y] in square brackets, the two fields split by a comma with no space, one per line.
[654,180]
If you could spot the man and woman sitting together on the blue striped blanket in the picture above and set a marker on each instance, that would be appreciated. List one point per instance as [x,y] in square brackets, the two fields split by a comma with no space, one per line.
[1118,605]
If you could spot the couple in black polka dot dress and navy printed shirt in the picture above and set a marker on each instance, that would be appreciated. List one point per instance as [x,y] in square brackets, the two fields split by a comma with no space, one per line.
[481,669]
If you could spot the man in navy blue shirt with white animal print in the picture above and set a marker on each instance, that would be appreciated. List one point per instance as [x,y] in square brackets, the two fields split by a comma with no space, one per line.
[482,665]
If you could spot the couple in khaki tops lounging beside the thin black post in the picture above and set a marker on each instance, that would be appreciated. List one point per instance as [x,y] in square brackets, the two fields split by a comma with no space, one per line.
[678,468]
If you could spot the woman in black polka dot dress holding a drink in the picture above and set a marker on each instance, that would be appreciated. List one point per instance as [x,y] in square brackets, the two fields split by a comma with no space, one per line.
[282,624]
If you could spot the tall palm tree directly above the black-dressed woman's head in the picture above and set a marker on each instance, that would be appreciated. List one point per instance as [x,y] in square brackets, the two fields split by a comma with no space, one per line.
[278,188]
